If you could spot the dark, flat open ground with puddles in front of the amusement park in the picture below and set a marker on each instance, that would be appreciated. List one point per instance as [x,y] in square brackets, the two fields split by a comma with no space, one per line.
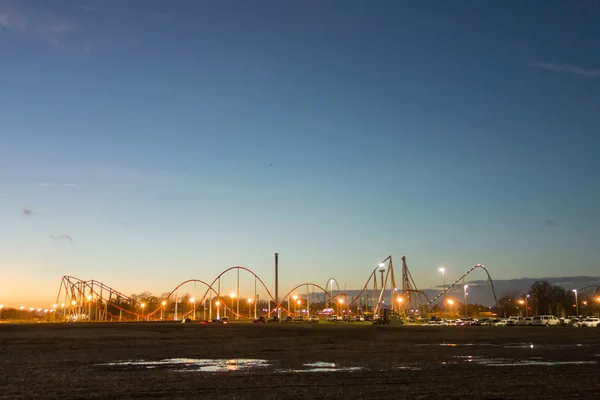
[63,361]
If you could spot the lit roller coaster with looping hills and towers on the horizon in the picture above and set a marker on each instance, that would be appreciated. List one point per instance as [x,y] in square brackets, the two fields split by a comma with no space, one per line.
[100,302]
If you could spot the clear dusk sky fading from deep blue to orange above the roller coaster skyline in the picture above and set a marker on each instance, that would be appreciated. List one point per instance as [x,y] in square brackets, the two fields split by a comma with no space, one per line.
[143,143]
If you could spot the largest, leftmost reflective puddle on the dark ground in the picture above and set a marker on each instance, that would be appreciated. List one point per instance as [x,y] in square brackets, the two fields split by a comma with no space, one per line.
[192,364]
